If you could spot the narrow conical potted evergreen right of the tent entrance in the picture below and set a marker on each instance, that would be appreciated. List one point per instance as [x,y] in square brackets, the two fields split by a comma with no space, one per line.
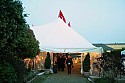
[86,63]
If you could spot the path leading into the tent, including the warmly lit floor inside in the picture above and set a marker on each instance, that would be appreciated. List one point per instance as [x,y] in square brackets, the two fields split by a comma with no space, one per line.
[63,77]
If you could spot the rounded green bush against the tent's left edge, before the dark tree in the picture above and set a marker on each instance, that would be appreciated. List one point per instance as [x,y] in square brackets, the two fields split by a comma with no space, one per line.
[27,46]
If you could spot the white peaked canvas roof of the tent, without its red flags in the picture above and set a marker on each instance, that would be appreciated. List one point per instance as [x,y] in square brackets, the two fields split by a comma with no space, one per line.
[57,36]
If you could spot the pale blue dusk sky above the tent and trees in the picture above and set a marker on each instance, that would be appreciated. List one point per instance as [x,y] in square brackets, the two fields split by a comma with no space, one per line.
[98,21]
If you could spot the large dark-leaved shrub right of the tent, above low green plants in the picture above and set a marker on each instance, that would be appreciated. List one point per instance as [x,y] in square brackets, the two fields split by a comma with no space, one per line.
[112,61]
